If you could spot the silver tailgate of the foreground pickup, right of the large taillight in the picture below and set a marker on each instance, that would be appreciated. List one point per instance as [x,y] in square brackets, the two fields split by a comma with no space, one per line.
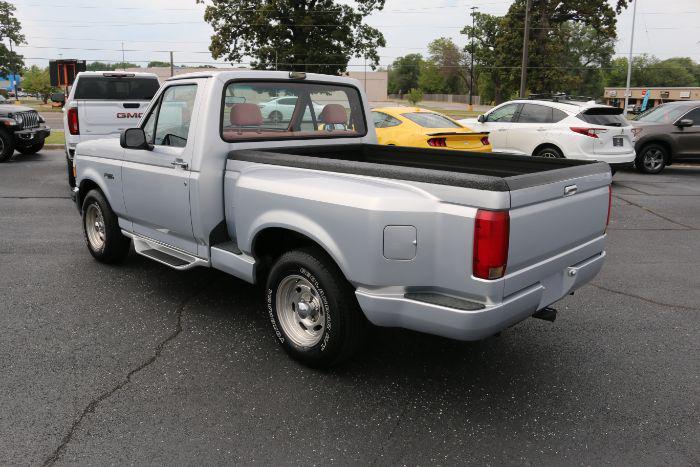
[555,226]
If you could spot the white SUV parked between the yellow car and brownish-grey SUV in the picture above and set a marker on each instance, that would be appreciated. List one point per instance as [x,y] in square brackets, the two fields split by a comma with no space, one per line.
[559,128]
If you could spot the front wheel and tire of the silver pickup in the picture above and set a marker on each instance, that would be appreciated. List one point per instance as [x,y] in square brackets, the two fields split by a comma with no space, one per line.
[103,236]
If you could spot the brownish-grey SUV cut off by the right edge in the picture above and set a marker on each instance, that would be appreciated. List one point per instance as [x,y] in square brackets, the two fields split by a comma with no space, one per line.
[666,134]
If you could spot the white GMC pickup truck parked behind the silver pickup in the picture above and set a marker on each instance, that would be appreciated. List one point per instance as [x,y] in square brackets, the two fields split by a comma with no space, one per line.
[102,104]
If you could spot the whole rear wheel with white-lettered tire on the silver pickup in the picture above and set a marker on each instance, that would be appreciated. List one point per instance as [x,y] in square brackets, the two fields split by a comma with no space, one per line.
[313,310]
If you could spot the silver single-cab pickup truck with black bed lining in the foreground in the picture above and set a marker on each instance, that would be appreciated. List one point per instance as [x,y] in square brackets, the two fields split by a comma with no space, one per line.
[276,178]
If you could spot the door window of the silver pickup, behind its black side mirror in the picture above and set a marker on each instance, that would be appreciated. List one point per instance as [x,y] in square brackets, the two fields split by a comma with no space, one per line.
[174,115]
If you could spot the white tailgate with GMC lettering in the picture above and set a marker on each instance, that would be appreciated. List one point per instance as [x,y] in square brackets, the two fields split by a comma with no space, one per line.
[109,117]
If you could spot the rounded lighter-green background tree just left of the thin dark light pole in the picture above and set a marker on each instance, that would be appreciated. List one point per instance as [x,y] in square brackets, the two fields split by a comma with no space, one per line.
[453,64]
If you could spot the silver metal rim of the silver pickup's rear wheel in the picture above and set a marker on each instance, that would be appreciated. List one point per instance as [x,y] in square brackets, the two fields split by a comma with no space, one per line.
[300,311]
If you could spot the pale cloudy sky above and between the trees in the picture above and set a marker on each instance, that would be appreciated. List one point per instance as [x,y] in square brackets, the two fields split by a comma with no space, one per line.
[148,29]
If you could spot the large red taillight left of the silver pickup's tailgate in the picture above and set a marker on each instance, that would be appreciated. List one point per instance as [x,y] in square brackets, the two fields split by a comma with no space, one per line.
[491,230]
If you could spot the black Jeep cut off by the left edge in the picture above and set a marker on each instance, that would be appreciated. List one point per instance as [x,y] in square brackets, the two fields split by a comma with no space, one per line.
[21,128]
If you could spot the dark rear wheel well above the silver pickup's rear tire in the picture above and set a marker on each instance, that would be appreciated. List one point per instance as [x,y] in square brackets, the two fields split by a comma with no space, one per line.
[271,243]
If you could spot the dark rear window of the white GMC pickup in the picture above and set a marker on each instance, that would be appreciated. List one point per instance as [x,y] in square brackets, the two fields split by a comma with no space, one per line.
[116,88]
